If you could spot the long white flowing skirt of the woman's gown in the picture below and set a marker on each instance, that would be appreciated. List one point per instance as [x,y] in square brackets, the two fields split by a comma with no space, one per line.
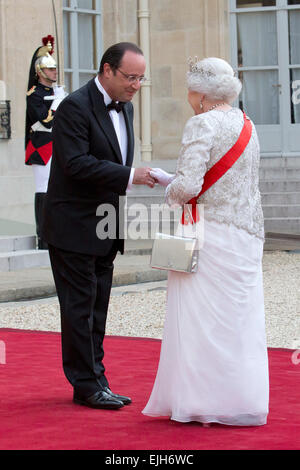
[213,364]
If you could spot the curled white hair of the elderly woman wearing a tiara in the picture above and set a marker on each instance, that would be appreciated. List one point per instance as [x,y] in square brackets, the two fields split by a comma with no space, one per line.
[214,78]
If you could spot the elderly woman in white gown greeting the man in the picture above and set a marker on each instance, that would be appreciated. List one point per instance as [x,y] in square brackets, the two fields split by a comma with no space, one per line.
[213,365]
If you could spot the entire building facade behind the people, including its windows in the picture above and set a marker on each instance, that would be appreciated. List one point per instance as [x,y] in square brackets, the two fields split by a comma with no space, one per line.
[168,31]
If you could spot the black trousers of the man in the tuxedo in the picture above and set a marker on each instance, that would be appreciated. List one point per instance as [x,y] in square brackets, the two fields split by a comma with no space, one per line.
[83,284]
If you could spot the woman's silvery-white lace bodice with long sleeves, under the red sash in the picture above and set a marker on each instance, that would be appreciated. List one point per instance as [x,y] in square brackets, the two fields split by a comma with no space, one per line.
[234,198]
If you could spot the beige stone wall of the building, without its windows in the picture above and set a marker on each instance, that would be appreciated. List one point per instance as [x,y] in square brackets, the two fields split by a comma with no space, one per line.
[175,29]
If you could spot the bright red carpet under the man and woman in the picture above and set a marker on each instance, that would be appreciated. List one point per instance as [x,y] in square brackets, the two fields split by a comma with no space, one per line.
[36,409]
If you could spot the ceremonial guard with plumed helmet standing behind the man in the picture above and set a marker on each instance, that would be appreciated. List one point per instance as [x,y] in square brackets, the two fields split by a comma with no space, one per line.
[43,98]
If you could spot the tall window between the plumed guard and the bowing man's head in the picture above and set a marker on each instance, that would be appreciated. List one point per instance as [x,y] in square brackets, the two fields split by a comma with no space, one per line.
[82,41]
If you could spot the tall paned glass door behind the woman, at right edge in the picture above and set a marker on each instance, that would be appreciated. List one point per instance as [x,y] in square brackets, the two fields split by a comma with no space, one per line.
[265,52]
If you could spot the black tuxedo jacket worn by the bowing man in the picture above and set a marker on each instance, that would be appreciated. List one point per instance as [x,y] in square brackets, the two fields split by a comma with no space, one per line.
[86,171]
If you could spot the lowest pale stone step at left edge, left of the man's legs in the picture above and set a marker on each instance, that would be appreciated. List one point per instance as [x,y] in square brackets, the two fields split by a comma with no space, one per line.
[23,259]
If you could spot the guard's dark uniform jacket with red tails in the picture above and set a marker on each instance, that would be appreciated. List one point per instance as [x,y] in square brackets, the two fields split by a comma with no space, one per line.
[39,121]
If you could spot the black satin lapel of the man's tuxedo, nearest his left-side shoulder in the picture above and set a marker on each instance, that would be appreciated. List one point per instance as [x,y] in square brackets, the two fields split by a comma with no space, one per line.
[103,118]
